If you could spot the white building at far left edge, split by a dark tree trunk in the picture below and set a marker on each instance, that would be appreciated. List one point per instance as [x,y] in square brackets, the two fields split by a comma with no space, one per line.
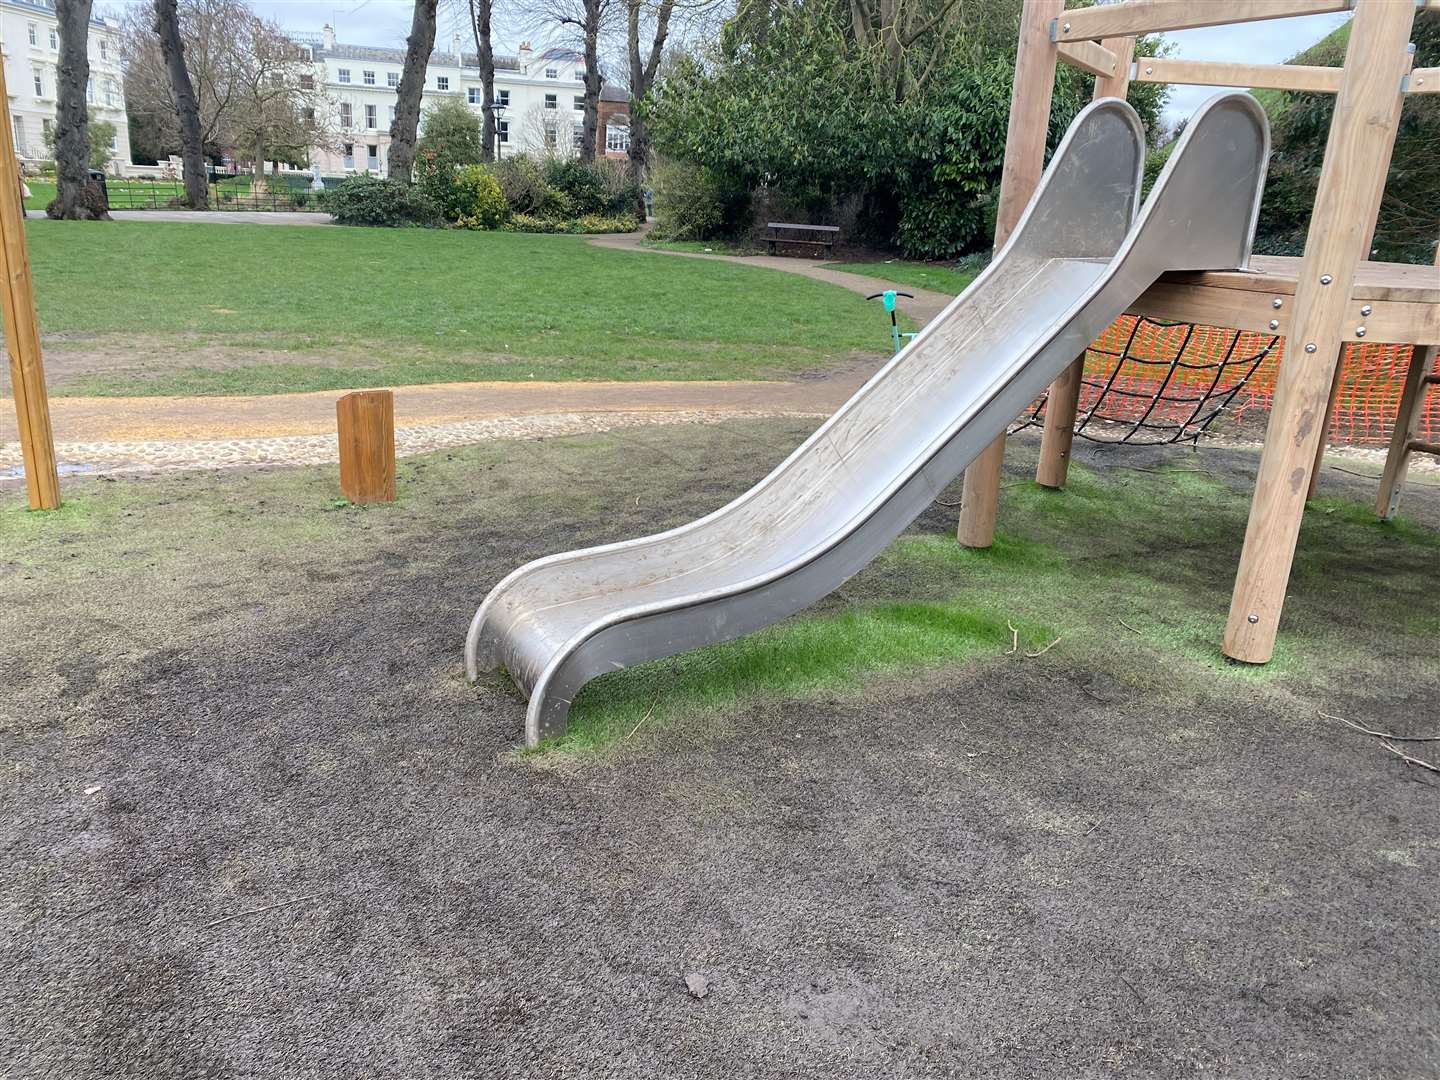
[31,45]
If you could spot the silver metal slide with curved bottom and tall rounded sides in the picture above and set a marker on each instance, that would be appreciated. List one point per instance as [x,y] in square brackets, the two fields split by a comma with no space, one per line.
[1078,258]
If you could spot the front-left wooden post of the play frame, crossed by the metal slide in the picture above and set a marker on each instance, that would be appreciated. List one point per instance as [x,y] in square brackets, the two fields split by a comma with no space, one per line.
[1025,165]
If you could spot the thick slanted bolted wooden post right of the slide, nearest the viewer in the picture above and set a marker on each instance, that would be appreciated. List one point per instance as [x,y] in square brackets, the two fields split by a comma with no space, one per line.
[1362,135]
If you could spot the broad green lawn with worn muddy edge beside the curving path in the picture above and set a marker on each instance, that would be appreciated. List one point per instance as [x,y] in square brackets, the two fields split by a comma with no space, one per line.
[228,309]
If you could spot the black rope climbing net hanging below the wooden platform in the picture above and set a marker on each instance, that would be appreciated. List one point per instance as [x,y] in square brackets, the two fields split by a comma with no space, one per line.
[1151,384]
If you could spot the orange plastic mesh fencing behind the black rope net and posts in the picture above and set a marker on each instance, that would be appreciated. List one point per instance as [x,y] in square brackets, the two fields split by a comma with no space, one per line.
[1150,382]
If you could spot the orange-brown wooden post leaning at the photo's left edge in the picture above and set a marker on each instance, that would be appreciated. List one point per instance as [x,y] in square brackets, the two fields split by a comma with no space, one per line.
[22,330]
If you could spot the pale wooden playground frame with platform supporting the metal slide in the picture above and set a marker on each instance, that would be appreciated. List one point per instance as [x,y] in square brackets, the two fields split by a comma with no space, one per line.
[1318,303]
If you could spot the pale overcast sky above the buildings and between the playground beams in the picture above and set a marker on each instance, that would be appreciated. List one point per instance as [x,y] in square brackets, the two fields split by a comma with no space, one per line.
[388,22]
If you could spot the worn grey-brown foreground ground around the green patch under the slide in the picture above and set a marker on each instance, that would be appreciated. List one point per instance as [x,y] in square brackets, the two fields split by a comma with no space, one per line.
[258,826]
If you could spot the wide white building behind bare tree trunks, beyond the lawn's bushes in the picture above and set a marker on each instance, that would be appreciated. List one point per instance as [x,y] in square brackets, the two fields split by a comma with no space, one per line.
[542,97]
